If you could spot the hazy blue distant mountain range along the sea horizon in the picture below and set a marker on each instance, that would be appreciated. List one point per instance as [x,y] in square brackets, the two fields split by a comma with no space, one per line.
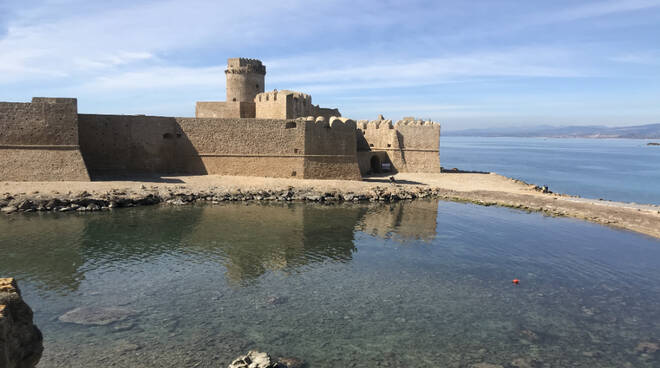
[648,131]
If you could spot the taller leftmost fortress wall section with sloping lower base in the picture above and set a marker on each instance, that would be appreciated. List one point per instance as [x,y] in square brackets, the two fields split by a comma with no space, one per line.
[39,141]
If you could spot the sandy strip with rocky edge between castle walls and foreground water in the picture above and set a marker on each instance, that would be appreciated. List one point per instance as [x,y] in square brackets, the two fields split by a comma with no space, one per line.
[478,188]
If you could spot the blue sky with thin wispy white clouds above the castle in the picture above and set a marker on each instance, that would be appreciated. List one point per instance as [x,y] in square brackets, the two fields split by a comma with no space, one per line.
[465,64]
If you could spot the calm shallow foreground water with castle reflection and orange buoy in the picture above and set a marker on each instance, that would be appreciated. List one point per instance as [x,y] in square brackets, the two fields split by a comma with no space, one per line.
[417,284]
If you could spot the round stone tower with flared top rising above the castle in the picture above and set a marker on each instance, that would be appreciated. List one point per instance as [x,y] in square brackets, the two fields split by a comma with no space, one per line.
[245,78]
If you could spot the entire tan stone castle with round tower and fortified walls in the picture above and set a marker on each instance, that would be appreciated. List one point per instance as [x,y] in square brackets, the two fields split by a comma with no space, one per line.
[253,133]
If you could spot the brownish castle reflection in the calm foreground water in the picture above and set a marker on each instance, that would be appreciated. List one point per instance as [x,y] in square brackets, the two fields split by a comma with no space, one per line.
[248,239]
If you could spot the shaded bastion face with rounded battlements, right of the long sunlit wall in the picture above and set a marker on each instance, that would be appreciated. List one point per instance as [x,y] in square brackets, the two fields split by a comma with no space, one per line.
[330,150]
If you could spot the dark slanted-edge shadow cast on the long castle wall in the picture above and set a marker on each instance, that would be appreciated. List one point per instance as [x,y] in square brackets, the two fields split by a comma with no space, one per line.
[130,147]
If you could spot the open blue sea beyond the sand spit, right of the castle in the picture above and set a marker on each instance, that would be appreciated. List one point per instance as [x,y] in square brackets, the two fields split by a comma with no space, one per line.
[615,169]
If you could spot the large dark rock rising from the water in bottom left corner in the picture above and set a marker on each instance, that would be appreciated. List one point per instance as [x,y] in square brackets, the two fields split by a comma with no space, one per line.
[21,342]
